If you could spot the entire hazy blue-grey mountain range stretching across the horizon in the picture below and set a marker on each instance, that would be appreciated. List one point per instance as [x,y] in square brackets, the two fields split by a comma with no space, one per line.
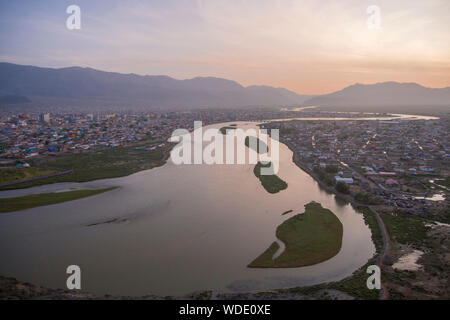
[75,85]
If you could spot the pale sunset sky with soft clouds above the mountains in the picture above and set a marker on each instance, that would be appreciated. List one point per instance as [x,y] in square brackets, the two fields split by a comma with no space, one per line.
[307,46]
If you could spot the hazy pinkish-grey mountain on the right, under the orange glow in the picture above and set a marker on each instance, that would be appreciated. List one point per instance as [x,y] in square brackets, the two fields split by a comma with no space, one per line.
[384,95]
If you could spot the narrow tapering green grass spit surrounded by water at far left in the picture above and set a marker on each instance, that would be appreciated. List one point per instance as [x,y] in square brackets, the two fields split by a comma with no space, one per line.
[44,199]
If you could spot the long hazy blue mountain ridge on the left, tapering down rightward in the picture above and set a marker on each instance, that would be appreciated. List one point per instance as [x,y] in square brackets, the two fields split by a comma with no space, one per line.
[153,91]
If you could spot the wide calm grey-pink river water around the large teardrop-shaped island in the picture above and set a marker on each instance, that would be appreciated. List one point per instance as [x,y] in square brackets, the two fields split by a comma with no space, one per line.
[184,228]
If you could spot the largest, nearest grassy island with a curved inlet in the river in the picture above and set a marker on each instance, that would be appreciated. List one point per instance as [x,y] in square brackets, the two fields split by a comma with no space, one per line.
[310,238]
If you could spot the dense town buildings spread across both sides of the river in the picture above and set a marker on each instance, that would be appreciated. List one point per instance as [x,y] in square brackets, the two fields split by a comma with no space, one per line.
[396,161]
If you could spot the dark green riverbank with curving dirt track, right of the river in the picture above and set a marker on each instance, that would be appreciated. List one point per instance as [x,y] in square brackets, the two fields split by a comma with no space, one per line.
[395,233]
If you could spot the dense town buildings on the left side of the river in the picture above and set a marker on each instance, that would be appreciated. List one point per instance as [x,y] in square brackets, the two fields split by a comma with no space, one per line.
[26,135]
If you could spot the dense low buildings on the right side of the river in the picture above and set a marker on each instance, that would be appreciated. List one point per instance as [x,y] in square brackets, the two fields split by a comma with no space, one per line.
[397,162]
